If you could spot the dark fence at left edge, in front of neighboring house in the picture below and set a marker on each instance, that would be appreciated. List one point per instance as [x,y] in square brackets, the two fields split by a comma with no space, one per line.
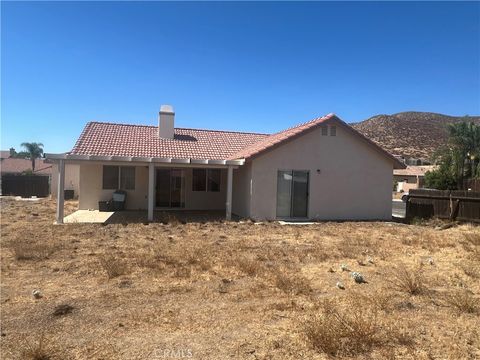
[26,185]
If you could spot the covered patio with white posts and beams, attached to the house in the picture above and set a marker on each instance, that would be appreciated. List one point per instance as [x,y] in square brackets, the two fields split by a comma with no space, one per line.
[145,197]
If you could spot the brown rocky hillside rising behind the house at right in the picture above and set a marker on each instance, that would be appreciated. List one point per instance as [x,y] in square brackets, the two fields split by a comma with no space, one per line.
[411,134]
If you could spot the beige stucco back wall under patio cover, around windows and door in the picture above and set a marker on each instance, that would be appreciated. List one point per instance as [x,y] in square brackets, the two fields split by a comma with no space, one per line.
[92,192]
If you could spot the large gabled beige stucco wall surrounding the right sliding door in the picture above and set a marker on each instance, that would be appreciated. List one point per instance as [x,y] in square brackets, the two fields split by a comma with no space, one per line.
[354,181]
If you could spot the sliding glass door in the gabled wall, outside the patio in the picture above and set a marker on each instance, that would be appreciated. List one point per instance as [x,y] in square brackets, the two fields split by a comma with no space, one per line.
[292,194]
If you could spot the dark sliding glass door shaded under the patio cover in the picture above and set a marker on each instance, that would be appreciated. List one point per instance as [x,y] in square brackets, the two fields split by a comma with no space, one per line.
[170,188]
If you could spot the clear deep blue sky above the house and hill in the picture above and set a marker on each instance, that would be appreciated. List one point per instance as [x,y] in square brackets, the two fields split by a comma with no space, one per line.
[254,66]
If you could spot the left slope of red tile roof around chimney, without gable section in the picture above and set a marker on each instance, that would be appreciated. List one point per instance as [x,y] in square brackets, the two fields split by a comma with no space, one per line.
[106,139]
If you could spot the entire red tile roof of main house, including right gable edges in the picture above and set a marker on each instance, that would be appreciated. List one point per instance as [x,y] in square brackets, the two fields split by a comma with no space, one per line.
[107,139]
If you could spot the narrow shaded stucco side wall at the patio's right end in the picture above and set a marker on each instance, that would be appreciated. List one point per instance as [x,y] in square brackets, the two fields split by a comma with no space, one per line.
[241,190]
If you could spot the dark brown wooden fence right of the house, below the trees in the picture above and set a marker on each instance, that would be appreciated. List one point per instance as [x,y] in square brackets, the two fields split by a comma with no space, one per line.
[453,205]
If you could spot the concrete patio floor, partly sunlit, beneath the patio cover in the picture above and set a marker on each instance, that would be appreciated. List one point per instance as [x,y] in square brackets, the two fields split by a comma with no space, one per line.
[138,216]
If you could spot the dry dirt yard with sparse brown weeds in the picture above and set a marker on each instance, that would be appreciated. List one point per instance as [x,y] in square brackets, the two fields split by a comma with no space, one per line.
[236,290]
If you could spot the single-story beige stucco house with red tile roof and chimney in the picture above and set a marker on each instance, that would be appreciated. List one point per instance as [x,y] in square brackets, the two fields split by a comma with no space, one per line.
[322,169]
